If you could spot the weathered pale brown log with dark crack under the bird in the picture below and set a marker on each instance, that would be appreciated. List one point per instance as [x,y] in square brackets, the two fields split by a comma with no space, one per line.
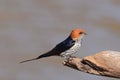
[105,63]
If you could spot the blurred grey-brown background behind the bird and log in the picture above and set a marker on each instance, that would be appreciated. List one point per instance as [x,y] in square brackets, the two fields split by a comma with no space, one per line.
[29,28]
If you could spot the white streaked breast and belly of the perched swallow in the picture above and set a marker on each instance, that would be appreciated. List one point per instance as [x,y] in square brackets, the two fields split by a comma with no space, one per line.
[72,50]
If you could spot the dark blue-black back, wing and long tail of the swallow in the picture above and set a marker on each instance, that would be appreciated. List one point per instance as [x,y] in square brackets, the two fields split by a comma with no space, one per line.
[57,50]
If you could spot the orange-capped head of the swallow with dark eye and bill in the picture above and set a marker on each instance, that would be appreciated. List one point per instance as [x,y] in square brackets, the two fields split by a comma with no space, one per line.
[77,34]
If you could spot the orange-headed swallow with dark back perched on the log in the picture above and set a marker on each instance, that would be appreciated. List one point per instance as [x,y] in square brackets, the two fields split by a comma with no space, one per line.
[65,48]
